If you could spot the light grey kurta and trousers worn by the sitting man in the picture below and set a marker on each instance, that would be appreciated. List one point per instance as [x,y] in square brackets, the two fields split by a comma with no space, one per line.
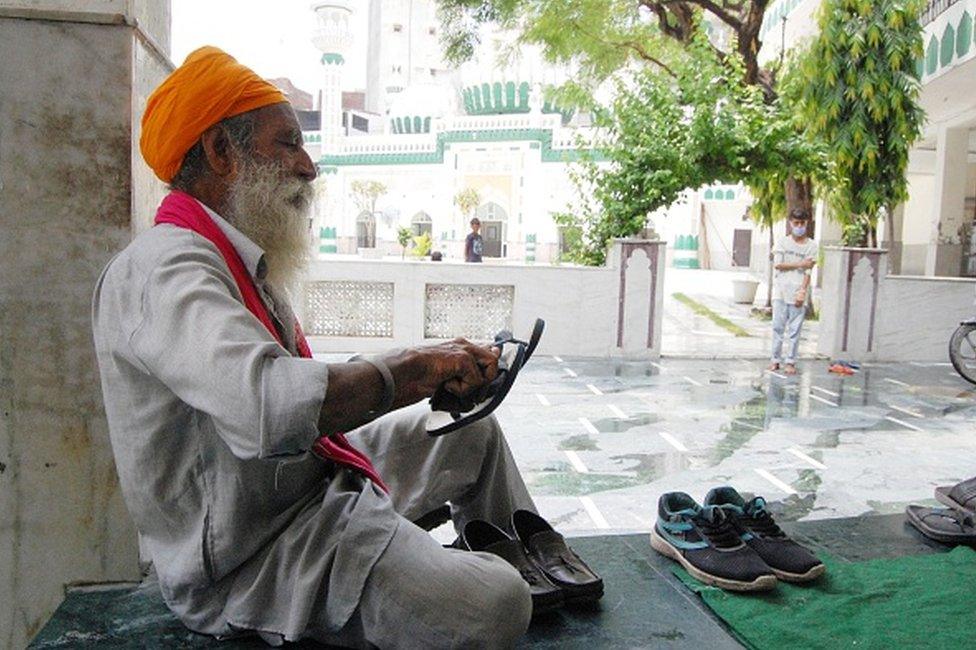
[209,419]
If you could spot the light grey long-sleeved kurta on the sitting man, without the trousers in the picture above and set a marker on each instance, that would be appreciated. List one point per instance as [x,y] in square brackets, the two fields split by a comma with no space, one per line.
[200,401]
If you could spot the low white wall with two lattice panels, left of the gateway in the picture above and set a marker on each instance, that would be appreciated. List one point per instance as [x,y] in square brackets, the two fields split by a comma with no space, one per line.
[579,304]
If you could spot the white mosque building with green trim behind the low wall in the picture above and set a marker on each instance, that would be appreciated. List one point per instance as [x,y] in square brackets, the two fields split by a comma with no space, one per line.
[427,131]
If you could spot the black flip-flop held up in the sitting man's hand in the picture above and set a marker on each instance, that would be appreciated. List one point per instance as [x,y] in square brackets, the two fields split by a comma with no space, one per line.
[450,412]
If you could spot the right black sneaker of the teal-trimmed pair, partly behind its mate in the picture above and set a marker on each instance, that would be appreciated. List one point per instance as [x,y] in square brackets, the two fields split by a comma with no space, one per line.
[788,560]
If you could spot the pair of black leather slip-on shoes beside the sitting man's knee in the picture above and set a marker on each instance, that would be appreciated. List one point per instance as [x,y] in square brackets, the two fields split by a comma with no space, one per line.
[555,574]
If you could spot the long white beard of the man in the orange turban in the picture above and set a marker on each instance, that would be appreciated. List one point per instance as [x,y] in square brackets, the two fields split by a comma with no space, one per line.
[272,209]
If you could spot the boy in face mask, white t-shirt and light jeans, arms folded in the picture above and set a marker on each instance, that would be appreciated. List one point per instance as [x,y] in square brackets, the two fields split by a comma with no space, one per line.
[793,258]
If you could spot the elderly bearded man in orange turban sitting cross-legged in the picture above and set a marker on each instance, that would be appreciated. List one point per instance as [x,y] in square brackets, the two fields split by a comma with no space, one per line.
[260,515]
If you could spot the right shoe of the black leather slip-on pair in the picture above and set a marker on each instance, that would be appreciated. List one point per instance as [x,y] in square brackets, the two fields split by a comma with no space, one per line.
[549,552]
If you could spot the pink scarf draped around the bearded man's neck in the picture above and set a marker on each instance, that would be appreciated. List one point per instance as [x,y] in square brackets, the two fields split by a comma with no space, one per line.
[182,210]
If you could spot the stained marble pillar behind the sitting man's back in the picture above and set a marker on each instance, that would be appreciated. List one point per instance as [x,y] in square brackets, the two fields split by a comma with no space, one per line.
[74,76]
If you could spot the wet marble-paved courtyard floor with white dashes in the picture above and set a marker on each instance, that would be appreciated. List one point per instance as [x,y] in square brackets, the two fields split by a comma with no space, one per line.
[599,441]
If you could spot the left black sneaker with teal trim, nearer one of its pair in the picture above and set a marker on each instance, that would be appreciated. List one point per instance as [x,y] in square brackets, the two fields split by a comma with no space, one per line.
[705,543]
